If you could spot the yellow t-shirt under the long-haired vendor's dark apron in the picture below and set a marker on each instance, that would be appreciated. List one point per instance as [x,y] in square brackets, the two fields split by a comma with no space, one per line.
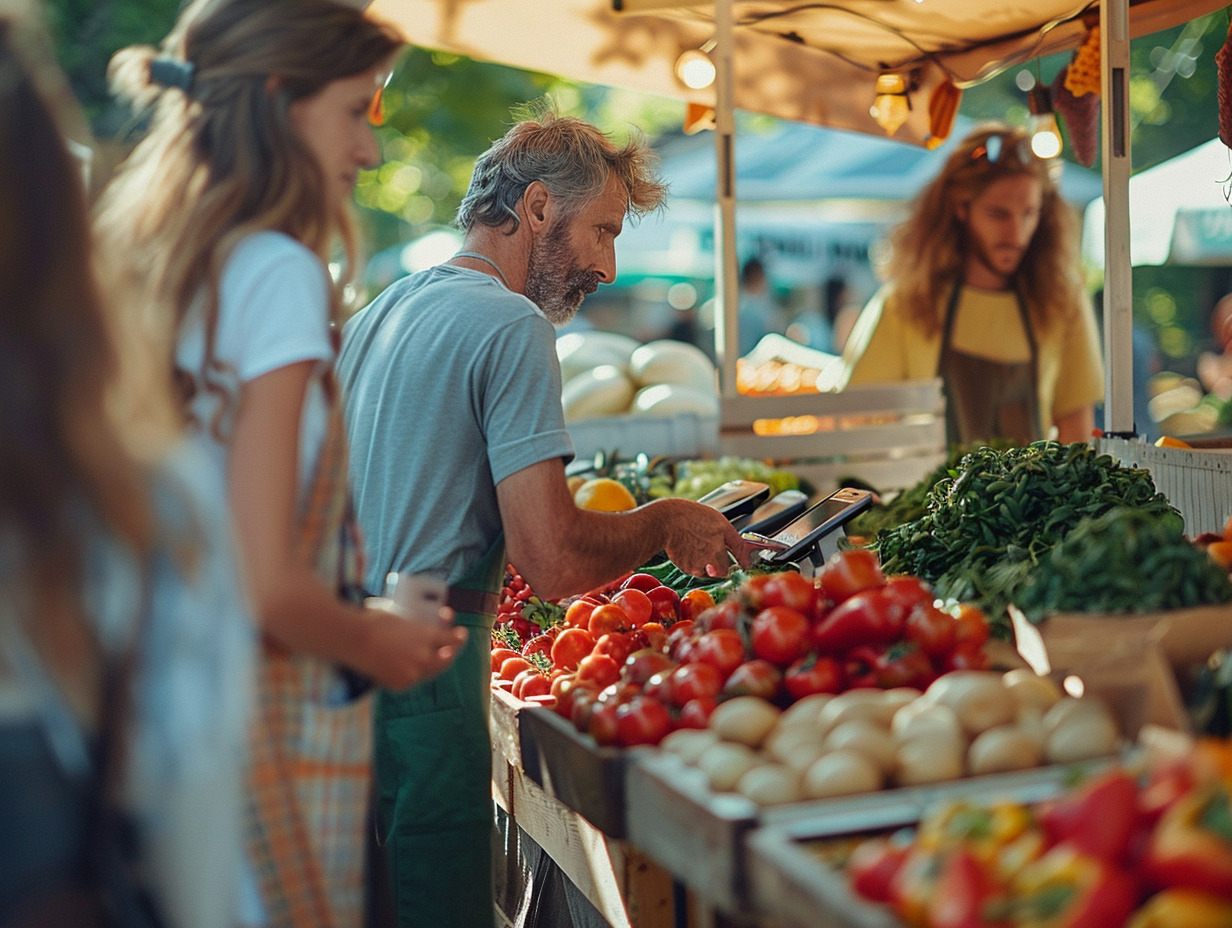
[888,347]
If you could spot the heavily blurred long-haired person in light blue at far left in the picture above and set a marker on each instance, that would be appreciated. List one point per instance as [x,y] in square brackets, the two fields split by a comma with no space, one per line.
[126,650]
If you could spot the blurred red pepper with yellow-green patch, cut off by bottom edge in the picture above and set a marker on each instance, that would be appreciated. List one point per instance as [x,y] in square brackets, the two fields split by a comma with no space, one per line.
[1069,889]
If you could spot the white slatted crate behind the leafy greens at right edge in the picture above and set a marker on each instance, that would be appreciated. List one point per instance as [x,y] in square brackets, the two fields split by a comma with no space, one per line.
[1198,484]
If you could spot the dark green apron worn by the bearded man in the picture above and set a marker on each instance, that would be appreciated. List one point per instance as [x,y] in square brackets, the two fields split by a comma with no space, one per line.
[433,760]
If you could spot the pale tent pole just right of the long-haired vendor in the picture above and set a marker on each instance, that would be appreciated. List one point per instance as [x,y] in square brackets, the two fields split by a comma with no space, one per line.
[1114,39]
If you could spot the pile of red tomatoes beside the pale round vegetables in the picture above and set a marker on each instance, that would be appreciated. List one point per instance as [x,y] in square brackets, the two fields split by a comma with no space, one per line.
[633,664]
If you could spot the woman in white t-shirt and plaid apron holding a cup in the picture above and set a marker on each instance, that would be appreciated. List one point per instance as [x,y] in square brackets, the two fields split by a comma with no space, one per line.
[226,215]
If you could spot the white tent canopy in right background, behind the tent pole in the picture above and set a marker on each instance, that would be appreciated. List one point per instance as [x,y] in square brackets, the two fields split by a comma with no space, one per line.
[1180,211]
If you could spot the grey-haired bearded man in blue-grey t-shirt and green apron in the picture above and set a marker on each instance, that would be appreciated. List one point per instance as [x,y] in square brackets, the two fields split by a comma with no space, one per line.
[454,410]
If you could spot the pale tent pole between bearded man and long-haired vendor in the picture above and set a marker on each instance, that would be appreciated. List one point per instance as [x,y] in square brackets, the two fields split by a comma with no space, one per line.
[726,287]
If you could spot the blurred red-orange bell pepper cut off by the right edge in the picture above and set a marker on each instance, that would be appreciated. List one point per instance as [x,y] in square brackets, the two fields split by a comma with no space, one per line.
[1192,845]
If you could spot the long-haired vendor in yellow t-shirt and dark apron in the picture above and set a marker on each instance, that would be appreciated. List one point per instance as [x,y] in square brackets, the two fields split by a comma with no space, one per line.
[986,293]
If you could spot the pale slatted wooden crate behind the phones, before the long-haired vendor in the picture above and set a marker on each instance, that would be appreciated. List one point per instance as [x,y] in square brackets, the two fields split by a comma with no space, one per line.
[890,436]
